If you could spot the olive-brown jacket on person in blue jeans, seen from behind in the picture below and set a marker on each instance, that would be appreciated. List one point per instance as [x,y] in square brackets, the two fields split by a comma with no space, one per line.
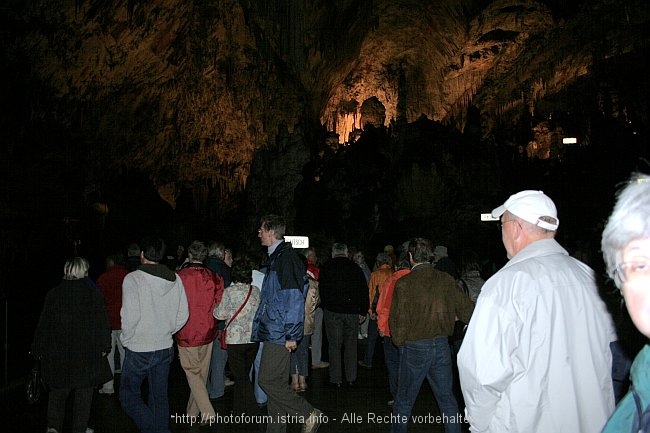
[425,305]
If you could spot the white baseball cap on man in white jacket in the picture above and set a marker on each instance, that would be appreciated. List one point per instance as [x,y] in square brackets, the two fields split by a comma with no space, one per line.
[530,206]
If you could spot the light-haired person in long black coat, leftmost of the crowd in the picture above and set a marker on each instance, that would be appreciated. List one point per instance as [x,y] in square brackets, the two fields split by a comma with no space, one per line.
[72,339]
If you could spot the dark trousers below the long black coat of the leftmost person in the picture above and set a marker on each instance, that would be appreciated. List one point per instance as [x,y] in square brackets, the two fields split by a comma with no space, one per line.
[81,405]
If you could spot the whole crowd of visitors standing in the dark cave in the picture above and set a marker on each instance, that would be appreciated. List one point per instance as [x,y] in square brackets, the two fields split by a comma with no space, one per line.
[532,349]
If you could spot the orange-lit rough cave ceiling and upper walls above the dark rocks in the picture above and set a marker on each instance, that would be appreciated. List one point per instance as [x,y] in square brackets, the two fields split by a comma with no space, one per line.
[187,91]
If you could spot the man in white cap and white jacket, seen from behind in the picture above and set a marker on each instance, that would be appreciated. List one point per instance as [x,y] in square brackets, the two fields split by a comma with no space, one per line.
[536,356]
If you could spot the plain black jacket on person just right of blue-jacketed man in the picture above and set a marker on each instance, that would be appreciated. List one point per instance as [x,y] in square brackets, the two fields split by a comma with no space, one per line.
[343,287]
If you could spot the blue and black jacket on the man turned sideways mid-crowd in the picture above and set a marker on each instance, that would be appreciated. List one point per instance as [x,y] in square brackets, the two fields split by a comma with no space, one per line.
[280,316]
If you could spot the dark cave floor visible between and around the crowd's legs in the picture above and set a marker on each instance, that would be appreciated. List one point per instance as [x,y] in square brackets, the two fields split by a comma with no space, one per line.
[356,409]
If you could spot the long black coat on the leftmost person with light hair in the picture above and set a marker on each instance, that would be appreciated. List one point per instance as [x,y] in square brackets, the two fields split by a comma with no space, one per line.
[71,335]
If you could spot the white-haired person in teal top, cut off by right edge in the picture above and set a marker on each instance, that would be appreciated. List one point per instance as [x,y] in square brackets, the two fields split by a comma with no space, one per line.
[626,250]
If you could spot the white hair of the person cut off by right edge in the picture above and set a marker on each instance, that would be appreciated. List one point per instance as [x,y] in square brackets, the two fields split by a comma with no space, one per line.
[630,220]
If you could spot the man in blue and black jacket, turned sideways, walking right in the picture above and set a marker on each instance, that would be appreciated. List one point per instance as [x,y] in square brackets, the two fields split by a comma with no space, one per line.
[279,324]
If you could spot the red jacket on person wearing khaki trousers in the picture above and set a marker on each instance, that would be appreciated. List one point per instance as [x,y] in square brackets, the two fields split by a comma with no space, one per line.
[204,290]
